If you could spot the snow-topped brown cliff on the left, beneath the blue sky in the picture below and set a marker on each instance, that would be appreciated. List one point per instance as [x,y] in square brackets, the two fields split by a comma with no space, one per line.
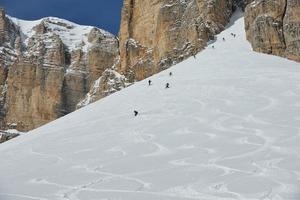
[48,67]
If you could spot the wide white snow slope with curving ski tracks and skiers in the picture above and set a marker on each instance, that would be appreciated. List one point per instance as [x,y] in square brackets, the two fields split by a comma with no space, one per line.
[227,128]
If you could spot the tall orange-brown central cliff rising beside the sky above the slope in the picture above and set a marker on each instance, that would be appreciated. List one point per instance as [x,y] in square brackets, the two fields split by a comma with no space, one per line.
[157,34]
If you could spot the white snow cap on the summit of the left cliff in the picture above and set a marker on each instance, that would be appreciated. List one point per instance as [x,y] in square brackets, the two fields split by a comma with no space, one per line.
[74,36]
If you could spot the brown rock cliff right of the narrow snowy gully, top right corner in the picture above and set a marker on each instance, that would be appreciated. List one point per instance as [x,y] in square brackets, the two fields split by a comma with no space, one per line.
[273,27]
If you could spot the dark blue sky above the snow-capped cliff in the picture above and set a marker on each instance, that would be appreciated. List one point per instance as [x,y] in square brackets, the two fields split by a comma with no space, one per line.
[104,14]
